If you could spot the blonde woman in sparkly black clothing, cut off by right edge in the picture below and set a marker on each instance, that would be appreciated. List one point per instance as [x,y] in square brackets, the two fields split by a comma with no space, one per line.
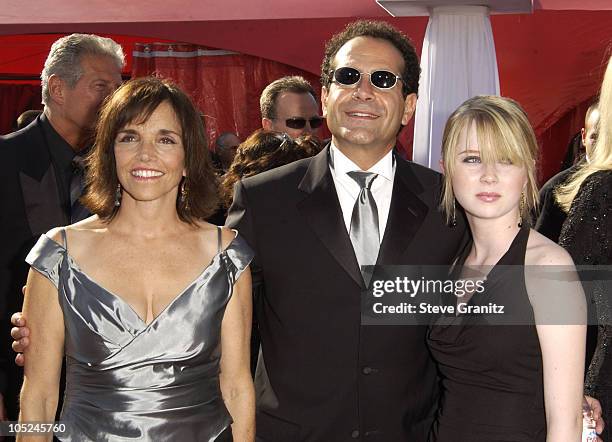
[587,236]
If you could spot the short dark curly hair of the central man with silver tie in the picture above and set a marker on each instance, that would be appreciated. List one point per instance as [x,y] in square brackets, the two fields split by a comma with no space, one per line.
[383,31]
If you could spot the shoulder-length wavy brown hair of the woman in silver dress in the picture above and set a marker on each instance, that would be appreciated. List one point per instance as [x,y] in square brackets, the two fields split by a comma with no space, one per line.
[134,102]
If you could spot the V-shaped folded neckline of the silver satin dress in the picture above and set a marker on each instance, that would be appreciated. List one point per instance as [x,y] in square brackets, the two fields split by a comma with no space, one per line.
[76,267]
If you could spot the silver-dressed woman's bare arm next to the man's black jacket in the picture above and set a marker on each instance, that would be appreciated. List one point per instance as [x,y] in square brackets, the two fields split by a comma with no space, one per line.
[236,382]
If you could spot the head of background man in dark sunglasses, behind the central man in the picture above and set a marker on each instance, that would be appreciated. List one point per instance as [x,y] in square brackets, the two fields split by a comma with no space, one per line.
[289,105]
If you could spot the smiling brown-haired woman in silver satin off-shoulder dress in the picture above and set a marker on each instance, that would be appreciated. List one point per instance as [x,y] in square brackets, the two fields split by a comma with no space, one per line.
[142,296]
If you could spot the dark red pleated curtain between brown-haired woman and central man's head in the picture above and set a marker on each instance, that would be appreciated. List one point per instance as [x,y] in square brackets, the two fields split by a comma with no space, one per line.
[225,86]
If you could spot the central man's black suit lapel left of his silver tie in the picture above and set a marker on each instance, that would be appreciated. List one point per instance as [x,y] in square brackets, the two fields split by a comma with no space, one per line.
[321,209]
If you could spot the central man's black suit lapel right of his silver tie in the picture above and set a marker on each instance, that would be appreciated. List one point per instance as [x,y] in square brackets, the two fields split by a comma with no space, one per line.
[406,214]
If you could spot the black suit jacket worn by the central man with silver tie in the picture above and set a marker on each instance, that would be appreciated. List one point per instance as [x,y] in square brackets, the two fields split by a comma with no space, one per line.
[323,376]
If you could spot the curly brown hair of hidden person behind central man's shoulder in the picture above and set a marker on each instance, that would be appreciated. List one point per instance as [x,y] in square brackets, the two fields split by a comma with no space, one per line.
[264,150]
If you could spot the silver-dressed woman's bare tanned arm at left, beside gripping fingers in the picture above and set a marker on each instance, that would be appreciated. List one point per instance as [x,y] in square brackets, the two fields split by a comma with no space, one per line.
[40,391]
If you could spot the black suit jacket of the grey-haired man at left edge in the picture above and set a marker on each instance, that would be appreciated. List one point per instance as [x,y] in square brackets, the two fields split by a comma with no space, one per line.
[31,205]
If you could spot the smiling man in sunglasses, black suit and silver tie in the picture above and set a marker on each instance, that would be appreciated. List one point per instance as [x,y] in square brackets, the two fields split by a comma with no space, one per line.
[321,375]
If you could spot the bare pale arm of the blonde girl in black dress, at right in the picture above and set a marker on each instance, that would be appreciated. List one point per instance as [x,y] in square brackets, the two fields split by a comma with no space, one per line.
[560,313]
